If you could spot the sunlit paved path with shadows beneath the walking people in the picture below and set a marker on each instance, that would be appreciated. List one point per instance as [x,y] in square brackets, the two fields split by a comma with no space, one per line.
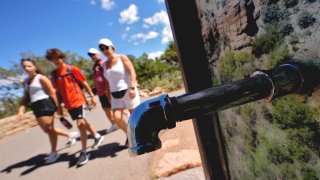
[22,156]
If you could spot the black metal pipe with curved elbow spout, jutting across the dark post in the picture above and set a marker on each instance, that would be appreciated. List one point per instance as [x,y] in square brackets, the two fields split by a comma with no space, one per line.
[162,112]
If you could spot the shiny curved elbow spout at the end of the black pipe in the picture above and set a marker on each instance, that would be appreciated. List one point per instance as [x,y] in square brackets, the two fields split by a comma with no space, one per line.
[146,121]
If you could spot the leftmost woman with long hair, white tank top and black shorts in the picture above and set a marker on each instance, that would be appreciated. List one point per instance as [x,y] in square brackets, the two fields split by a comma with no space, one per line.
[41,94]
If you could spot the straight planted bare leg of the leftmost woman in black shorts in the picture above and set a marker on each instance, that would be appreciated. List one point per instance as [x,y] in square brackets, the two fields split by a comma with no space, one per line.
[46,124]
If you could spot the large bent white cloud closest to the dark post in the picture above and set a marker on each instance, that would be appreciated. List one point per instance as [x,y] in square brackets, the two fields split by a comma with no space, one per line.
[161,18]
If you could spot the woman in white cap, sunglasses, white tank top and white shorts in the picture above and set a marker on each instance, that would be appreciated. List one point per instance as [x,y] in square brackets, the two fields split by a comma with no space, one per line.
[121,76]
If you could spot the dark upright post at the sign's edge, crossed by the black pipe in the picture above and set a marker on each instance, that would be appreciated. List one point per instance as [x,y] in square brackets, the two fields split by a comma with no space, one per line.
[194,65]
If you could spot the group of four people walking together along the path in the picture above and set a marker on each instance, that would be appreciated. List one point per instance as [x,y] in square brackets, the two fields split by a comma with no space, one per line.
[116,87]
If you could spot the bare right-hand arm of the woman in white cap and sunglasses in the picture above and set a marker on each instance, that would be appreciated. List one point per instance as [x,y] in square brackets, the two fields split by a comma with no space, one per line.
[132,74]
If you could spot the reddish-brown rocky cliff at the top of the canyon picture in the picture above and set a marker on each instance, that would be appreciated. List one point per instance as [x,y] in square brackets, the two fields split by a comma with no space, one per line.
[228,23]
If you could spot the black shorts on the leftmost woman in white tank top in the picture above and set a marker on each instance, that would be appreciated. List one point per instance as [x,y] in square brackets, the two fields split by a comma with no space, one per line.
[43,107]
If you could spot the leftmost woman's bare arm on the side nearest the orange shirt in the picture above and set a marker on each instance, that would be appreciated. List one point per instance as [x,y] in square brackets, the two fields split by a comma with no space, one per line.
[51,91]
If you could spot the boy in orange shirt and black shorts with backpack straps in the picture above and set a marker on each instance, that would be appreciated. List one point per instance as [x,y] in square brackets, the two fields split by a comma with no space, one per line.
[67,81]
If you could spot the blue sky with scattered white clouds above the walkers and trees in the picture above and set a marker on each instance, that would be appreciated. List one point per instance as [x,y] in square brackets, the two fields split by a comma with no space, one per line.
[134,26]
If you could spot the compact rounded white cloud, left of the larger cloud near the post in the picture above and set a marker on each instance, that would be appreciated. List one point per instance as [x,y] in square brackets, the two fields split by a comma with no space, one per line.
[130,15]
